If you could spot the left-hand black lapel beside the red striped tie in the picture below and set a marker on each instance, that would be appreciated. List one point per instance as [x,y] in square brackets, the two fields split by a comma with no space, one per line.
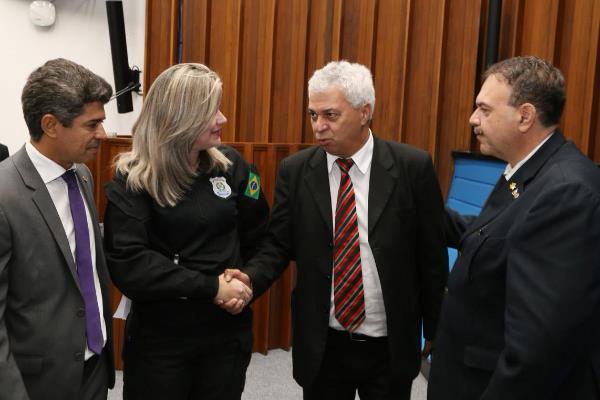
[317,181]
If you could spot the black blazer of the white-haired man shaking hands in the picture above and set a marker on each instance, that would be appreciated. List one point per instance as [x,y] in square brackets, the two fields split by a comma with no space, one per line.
[405,234]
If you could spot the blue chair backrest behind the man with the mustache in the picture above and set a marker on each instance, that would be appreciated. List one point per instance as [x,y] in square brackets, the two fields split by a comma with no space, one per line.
[472,181]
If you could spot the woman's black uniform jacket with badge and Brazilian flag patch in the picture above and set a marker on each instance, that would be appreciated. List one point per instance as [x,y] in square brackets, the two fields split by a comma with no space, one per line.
[168,259]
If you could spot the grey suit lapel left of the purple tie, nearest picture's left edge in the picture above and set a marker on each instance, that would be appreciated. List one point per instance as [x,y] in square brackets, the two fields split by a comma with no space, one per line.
[41,198]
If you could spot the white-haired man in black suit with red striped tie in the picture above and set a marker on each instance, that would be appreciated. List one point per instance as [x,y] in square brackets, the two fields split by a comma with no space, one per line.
[363,219]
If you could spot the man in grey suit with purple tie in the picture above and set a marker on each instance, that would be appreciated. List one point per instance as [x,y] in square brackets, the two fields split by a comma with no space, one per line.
[55,315]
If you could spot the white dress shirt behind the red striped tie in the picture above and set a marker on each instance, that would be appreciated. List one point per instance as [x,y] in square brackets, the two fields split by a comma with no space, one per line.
[375,323]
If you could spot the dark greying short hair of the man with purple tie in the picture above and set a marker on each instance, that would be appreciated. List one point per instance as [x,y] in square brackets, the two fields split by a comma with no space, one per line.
[62,88]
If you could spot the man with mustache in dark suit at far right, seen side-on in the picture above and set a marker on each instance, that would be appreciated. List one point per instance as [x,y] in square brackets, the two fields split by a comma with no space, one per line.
[521,317]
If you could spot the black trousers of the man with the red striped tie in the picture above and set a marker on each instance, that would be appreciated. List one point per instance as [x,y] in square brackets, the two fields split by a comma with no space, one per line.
[356,364]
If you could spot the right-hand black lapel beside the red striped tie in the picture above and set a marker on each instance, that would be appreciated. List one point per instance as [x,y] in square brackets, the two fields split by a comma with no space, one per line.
[382,181]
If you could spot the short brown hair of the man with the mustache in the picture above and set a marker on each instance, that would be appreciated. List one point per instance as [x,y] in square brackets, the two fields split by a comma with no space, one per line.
[536,81]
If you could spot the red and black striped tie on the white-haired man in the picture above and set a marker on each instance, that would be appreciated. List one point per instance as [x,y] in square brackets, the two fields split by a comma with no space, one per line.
[349,296]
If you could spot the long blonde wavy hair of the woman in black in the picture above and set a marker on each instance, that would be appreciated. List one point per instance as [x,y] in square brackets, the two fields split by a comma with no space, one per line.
[177,108]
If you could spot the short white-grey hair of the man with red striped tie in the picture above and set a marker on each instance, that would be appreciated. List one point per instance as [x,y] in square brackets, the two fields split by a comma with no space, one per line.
[353,79]
